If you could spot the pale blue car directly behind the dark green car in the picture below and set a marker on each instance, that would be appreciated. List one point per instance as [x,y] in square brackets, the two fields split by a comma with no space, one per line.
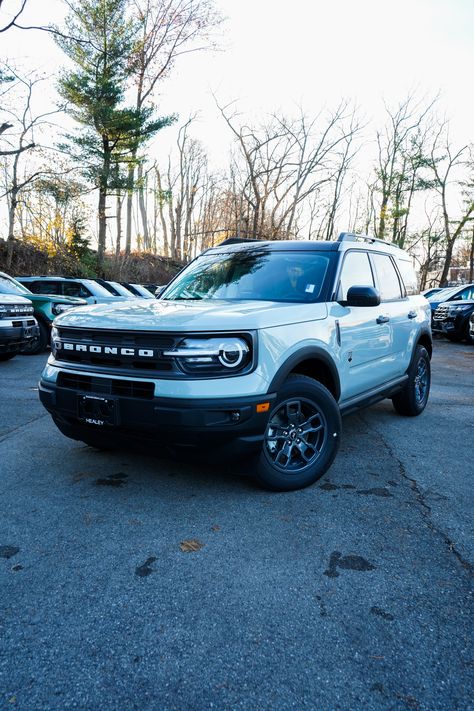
[88,289]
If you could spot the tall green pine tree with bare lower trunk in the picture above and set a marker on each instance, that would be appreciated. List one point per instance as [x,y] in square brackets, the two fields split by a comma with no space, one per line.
[99,41]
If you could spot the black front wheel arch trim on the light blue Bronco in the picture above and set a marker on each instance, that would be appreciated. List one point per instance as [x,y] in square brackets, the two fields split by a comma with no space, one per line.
[314,362]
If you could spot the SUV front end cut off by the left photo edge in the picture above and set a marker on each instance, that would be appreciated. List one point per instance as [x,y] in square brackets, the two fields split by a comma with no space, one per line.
[18,326]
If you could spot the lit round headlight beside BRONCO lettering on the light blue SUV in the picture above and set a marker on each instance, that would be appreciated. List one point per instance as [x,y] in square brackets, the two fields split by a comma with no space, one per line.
[219,355]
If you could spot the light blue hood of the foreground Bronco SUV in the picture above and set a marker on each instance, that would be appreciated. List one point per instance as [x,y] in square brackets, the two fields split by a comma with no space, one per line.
[205,315]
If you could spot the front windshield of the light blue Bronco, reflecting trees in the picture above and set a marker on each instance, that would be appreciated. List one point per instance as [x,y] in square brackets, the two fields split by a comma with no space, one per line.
[252,275]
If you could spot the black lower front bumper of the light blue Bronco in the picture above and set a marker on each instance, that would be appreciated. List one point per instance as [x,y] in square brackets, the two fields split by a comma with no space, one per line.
[170,421]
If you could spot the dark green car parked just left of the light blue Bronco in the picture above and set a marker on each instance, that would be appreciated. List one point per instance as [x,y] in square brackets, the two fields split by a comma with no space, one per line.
[46,306]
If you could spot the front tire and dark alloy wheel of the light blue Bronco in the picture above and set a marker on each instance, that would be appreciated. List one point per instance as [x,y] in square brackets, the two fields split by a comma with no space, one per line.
[302,436]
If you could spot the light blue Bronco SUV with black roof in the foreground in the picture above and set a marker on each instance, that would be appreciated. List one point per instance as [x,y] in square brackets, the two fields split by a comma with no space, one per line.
[255,347]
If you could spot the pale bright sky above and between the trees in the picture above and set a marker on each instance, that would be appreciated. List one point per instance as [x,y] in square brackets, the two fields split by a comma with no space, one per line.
[276,56]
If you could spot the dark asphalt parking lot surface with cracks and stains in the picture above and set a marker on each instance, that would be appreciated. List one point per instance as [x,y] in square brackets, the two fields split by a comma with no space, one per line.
[130,581]
